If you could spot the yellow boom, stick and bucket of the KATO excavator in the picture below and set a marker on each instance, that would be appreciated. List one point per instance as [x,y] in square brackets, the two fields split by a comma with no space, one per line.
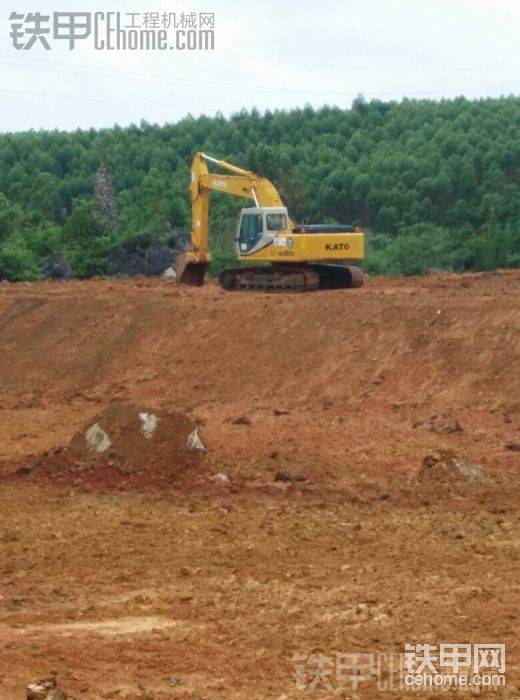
[192,265]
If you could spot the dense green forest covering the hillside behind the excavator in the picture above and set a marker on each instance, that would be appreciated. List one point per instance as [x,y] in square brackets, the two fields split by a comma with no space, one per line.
[436,185]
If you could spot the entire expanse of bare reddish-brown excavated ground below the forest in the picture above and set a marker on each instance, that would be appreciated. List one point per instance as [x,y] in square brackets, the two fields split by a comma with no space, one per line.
[136,575]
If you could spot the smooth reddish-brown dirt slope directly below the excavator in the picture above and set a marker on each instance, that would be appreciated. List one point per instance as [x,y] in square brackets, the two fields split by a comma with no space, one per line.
[445,337]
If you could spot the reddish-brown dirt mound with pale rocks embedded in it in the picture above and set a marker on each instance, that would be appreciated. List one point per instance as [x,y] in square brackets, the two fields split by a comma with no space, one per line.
[134,452]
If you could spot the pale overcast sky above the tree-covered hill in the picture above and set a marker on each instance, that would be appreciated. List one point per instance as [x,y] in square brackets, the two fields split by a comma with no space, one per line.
[276,54]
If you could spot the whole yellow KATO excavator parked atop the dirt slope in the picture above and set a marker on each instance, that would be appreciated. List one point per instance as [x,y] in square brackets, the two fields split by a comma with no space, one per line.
[299,258]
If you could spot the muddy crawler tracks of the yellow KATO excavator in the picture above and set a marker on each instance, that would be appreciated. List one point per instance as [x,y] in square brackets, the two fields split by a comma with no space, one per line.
[288,278]
